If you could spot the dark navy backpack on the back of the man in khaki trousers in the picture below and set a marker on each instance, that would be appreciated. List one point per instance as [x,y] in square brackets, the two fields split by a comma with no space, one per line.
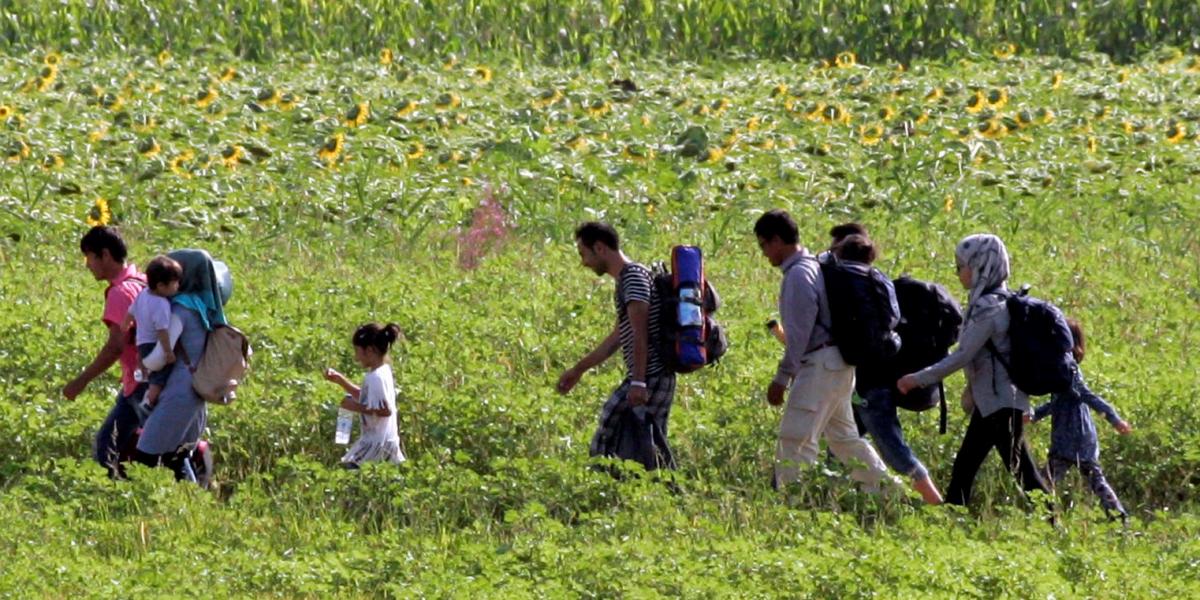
[863,313]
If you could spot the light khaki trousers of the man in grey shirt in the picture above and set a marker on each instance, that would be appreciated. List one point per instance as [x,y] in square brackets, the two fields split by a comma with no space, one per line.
[819,404]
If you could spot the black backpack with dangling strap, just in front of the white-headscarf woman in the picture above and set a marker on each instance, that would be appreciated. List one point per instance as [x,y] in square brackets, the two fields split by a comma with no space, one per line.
[929,326]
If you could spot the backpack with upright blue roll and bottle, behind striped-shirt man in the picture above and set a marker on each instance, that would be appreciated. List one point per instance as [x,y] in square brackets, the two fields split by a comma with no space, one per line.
[689,337]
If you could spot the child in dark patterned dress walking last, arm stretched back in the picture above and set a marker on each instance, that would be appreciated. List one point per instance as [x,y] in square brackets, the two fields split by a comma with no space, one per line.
[1073,441]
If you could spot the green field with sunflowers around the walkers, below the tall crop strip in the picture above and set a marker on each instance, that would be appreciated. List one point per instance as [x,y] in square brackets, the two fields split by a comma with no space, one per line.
[442,195]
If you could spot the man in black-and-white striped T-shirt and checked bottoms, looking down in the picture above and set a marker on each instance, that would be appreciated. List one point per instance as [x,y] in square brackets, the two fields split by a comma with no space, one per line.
[649,387]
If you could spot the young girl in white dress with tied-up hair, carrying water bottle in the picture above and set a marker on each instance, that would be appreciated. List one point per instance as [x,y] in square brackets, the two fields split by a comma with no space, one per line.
[376,400]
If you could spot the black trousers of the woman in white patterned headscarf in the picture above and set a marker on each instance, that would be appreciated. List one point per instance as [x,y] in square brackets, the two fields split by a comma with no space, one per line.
[1005,431]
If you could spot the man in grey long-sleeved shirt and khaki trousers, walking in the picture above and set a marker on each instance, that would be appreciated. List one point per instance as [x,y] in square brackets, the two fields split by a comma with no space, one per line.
[820,381]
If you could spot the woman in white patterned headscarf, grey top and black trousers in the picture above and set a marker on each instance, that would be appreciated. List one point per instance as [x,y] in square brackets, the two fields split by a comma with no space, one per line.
[997,415]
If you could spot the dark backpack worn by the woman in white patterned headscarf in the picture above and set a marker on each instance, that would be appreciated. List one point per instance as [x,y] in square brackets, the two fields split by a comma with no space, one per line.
[1040,359]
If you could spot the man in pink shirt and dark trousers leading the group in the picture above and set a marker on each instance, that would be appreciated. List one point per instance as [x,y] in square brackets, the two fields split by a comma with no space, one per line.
[105,254]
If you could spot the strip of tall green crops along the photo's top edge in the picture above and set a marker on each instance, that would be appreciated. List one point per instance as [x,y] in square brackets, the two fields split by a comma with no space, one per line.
[583,31]
